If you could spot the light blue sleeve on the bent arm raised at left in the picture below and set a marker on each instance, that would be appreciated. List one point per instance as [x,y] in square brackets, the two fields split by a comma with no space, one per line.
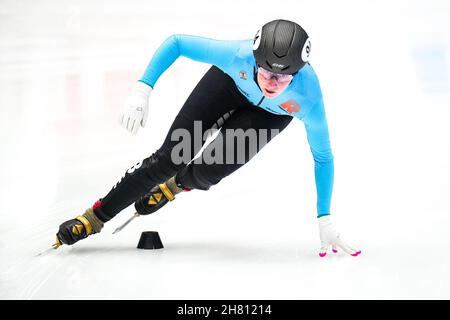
[215,52]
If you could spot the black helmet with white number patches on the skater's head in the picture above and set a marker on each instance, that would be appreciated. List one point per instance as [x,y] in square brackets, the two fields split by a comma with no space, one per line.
[281,46]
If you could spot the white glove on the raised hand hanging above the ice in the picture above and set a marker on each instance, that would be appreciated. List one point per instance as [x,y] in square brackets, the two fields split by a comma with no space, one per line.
[135,111]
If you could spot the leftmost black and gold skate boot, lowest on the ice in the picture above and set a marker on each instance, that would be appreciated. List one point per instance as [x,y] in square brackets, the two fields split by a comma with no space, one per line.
[79,228]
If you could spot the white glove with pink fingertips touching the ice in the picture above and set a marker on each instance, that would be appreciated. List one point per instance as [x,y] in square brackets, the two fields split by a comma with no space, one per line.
[330,237]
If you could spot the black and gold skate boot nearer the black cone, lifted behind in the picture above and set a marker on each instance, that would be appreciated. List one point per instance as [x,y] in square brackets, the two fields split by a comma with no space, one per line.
[158,197]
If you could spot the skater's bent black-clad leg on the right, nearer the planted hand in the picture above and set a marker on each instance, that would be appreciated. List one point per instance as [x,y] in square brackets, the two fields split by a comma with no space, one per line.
[243,135]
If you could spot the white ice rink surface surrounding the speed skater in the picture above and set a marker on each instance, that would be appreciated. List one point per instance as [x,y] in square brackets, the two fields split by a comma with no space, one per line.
[66,68]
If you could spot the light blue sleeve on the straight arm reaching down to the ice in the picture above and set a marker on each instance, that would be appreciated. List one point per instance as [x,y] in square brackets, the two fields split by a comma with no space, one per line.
[318,138]
